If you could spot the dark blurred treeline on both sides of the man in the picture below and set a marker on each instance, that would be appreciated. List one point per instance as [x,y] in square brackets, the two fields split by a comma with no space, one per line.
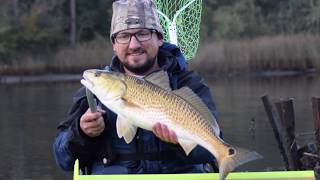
[44,26]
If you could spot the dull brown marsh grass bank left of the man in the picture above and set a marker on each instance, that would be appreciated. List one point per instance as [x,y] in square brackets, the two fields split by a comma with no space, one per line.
[94,54]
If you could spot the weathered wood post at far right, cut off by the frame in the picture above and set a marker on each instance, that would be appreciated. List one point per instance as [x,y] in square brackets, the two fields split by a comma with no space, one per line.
[316,118]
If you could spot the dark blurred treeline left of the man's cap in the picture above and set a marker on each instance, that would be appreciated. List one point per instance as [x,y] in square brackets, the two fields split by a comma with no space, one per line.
[43,25]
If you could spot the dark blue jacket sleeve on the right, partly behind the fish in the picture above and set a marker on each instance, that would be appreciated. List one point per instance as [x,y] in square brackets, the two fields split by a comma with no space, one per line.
[197,84]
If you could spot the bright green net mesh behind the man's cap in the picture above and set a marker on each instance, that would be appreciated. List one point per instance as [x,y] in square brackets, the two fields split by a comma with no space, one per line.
[187,23]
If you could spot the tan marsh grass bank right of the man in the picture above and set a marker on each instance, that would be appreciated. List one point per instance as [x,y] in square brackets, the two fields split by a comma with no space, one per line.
[281,53]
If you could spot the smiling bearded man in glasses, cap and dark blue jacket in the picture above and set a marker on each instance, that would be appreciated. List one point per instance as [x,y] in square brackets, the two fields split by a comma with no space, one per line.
[137,39]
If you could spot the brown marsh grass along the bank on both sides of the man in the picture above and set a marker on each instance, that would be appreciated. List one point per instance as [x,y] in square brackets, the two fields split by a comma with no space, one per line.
[298,53]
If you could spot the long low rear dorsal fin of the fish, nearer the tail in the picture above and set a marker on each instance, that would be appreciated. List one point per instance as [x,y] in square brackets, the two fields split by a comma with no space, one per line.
[188,95]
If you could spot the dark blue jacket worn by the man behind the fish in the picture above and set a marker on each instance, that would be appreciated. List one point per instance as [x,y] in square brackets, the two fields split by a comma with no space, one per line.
[107,154]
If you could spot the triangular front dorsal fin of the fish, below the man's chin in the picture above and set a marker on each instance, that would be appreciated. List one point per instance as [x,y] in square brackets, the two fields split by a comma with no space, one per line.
[159,78]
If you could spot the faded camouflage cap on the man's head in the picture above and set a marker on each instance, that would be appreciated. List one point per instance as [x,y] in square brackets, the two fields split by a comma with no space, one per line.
[129,14]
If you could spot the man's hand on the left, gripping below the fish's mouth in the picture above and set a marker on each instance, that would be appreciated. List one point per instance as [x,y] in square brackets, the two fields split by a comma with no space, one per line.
[92,124]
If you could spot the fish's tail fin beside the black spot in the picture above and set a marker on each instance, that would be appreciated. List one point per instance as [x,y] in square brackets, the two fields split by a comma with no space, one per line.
[235,158]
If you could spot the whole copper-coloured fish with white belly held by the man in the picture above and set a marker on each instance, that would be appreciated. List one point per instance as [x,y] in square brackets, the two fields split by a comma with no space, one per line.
[144,102]
